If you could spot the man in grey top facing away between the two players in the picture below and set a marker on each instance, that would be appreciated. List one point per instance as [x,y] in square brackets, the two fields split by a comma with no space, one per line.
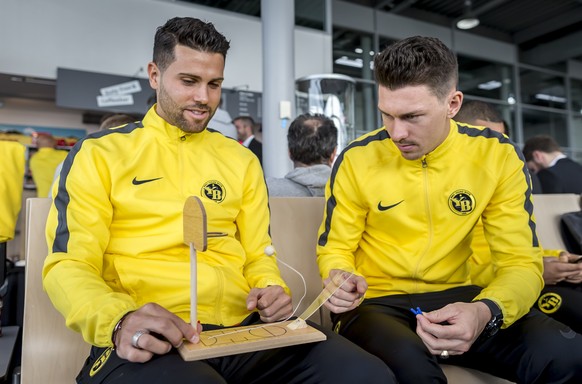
[312,142]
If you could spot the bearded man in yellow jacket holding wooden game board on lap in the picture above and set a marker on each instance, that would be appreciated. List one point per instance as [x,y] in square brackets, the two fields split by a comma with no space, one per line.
[118,269]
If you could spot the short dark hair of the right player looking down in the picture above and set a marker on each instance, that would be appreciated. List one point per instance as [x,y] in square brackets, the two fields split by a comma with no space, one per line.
[417,61]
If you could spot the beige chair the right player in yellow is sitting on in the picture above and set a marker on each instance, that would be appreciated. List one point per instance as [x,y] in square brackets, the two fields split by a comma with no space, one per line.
[294,225]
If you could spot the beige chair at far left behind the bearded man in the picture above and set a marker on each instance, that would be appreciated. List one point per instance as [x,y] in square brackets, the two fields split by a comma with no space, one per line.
[51,353]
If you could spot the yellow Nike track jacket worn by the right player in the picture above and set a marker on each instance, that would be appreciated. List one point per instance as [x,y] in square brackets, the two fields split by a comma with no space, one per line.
[406,225]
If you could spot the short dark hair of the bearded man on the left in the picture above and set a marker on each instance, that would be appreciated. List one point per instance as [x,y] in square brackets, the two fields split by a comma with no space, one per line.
[190,32]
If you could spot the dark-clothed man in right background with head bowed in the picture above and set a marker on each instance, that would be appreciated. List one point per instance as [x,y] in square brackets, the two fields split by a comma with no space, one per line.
[556,172]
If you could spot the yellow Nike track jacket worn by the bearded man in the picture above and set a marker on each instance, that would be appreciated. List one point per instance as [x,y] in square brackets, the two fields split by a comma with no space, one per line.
[115,230]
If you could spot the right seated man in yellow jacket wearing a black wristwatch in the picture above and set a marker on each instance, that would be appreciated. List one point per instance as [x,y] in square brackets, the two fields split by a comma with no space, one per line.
[402,202]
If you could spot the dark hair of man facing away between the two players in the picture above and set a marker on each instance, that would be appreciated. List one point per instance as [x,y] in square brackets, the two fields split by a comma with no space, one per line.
[312,138]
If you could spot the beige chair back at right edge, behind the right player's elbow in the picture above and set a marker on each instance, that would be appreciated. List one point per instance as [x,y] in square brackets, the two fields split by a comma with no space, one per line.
[547,210]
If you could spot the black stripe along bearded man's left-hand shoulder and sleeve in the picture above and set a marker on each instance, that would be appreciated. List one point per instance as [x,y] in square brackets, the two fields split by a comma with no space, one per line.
[62,198]
